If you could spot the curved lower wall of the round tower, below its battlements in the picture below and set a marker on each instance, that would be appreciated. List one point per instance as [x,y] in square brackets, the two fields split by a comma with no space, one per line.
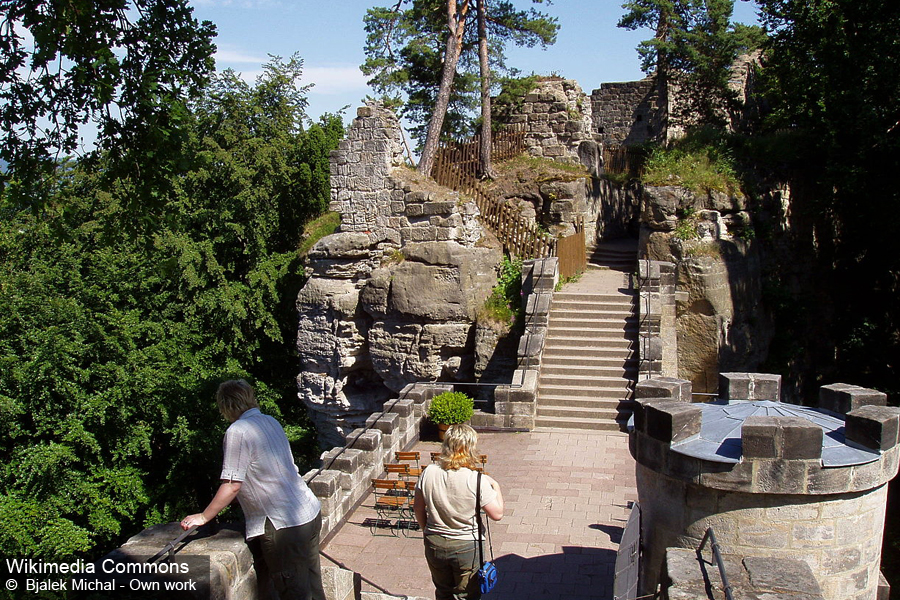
[839,537]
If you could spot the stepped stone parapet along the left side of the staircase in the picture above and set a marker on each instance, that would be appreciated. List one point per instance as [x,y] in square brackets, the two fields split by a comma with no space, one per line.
[515,405]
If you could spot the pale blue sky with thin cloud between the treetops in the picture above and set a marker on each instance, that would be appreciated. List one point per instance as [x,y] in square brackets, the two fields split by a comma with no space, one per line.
[329,36]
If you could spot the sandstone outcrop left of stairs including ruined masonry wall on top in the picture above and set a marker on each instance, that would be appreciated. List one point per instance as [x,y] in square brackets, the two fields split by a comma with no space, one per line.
[392,298]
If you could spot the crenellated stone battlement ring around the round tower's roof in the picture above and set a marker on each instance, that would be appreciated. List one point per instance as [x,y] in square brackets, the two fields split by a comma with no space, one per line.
[779,454]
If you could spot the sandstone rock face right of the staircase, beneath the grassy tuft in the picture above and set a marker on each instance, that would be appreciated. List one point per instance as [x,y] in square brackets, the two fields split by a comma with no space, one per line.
[721,323]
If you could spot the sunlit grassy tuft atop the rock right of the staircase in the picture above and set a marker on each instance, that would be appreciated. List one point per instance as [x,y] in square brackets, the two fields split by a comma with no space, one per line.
[699,162]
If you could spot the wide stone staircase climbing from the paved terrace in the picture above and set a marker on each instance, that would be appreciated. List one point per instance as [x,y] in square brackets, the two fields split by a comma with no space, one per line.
[589,365]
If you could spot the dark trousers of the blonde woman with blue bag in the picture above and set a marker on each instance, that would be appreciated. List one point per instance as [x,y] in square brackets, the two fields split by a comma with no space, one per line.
[453,565]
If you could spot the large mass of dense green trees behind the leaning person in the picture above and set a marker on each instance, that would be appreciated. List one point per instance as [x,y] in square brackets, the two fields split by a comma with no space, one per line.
[116,324]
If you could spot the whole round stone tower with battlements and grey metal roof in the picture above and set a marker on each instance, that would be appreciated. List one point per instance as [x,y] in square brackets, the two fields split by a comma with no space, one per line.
[772,479]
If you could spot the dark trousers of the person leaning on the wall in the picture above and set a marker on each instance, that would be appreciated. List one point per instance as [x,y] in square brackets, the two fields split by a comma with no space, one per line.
[290,558]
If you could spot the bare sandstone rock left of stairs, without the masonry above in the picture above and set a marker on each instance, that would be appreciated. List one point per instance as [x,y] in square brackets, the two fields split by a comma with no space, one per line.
[361,341]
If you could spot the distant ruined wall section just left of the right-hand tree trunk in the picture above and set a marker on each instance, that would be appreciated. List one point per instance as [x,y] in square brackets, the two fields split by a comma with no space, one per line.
[626,113]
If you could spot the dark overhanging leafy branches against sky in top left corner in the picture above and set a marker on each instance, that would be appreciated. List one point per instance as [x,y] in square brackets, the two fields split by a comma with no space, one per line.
[128,66]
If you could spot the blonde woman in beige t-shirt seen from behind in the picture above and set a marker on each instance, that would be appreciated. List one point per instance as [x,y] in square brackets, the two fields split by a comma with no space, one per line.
[445,509]
